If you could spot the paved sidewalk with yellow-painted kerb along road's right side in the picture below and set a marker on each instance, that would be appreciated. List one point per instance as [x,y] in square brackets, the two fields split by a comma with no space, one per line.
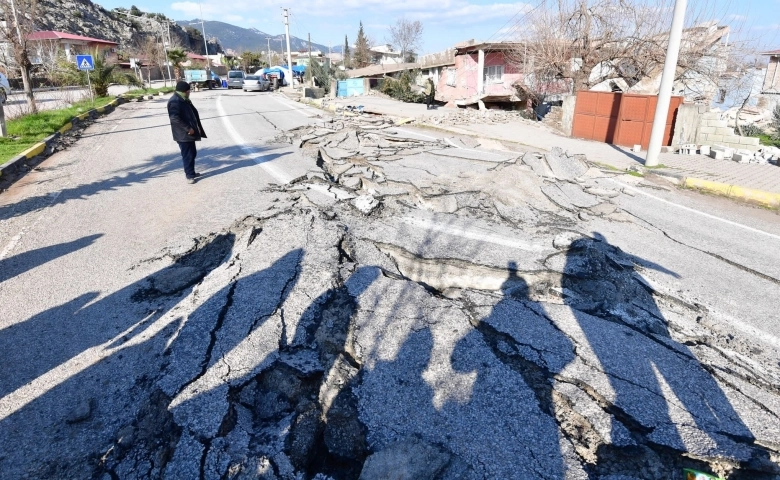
[700,171]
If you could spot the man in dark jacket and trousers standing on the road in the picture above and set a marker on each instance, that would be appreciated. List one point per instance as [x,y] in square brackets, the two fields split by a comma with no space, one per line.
[186,127]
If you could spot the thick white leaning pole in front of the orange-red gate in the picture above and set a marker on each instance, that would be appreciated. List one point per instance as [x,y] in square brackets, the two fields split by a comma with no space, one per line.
[667,82]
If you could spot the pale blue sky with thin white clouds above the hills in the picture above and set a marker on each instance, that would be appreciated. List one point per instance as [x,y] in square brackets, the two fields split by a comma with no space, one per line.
[445,22]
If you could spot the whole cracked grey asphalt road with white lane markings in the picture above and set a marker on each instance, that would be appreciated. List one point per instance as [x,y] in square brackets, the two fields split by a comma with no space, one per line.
[351,300]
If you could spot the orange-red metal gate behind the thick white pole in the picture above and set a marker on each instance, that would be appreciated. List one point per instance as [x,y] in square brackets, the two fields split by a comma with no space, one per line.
[620,118]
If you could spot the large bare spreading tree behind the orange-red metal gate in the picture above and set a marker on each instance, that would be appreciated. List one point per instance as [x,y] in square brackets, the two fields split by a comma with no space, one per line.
[622,42]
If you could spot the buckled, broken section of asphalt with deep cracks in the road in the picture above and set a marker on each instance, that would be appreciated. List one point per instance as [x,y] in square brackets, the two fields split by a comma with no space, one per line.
[403,314]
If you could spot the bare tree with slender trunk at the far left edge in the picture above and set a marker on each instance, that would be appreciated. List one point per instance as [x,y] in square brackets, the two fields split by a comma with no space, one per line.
[19,23]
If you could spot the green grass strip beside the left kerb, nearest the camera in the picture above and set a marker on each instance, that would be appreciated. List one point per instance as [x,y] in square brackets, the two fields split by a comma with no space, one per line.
[24,132]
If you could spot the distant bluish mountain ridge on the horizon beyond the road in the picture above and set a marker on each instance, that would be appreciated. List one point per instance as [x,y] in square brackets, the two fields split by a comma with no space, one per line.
[242,39]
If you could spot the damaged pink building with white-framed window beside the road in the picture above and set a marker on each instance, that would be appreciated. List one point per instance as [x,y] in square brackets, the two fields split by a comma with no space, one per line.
[478,74]
